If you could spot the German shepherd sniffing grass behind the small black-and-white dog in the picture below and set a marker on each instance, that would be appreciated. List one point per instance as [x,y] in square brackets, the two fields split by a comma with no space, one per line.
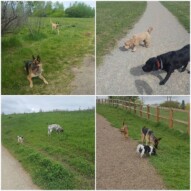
[148,135]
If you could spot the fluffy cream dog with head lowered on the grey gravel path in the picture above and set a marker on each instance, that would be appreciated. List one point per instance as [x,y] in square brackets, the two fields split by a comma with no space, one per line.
[144,37]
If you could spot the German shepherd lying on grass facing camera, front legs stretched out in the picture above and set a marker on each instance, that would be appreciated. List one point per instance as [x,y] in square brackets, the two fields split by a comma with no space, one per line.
[34,69]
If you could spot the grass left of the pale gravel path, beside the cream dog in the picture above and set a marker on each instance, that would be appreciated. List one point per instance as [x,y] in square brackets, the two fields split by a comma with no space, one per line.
[114,20]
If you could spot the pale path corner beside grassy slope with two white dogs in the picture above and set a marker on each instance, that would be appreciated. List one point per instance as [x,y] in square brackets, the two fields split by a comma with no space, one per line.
[13,177]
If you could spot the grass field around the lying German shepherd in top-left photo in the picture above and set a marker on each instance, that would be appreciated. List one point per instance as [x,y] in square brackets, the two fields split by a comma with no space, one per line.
[59,54]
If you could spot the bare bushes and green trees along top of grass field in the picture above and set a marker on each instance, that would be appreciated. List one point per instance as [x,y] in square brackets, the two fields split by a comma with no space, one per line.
[15,13]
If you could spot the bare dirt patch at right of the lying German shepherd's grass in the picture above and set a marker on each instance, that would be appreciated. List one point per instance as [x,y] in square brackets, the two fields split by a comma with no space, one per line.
[84,82]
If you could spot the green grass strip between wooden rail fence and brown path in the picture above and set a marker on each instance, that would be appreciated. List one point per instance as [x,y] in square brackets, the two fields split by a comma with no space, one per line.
[173,156]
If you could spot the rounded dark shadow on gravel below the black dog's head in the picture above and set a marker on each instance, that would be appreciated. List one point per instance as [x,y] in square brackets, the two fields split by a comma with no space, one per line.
[143,87]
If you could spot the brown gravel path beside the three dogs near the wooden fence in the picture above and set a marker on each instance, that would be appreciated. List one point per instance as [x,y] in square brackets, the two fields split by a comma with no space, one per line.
[118,165]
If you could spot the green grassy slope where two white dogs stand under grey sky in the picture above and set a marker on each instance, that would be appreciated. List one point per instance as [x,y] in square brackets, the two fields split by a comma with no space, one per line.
[60,161]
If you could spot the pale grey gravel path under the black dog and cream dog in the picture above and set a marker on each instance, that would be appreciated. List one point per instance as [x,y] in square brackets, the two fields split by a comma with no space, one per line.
[121,73]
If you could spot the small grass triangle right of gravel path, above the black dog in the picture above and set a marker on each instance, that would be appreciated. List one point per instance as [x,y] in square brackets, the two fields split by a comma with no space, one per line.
[181,10]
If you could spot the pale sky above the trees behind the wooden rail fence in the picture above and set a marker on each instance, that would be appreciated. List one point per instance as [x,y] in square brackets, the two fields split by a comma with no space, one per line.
[159,99]
